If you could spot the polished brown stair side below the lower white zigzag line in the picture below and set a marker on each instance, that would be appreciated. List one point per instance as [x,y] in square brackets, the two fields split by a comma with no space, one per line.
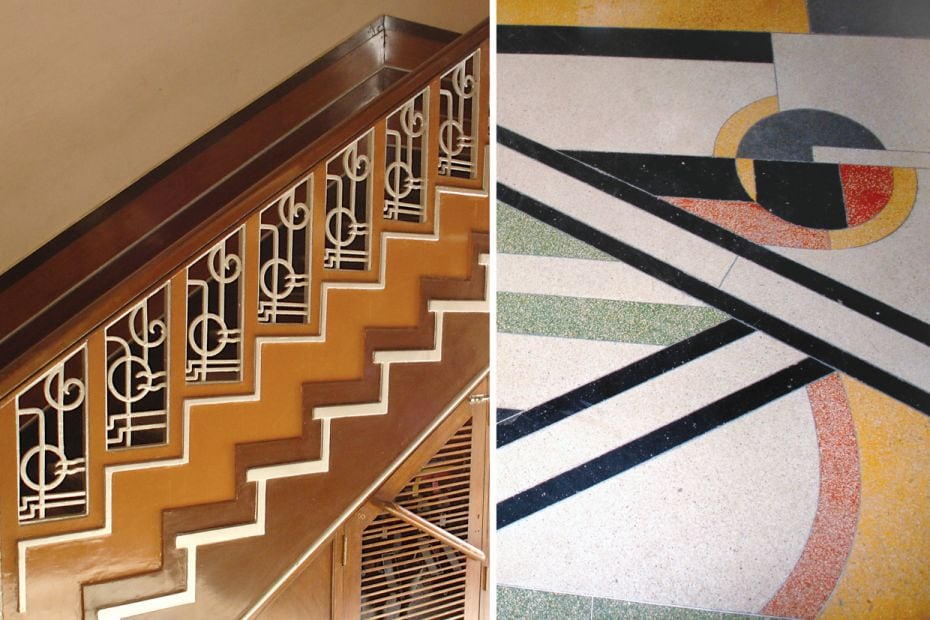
[299,509]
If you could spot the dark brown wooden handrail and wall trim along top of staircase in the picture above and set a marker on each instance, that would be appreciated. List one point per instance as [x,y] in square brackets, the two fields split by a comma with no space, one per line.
[56,297]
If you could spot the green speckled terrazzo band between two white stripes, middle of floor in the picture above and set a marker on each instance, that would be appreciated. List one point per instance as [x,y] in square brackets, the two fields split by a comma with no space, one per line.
[602,319]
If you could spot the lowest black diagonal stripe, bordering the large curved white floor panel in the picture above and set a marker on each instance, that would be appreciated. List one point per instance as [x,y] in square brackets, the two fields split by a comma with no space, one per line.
[658,441]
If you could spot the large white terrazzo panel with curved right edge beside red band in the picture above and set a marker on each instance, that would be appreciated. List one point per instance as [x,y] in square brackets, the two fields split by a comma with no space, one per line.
[717,523]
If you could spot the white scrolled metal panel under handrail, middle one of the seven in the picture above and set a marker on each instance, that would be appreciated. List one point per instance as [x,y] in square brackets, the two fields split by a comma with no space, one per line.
[284,261]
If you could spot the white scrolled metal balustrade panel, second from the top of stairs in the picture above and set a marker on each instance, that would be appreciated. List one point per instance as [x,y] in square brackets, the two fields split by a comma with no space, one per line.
[405,172]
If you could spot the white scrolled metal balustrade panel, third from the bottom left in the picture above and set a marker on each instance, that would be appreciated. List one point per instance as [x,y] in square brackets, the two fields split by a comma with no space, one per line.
[214,313]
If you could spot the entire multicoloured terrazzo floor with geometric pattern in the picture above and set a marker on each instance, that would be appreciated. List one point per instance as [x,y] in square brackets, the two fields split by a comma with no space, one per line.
[713,349]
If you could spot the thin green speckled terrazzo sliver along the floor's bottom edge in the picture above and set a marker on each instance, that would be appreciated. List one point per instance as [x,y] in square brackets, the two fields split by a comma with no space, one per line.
[524,604]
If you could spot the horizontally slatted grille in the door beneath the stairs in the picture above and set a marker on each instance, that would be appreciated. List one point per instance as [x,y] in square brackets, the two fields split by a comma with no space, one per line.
[406,573]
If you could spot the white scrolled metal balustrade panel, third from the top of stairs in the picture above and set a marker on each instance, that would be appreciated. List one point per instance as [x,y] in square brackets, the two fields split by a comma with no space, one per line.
[348,206]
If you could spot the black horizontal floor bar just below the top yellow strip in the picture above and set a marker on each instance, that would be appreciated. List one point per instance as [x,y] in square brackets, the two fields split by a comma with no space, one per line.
[636,42]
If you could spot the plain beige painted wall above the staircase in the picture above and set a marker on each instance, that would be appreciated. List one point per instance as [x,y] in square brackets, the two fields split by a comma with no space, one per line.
[94,94]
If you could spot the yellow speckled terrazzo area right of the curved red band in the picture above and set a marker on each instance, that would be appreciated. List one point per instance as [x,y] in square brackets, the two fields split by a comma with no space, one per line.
[888,569]
